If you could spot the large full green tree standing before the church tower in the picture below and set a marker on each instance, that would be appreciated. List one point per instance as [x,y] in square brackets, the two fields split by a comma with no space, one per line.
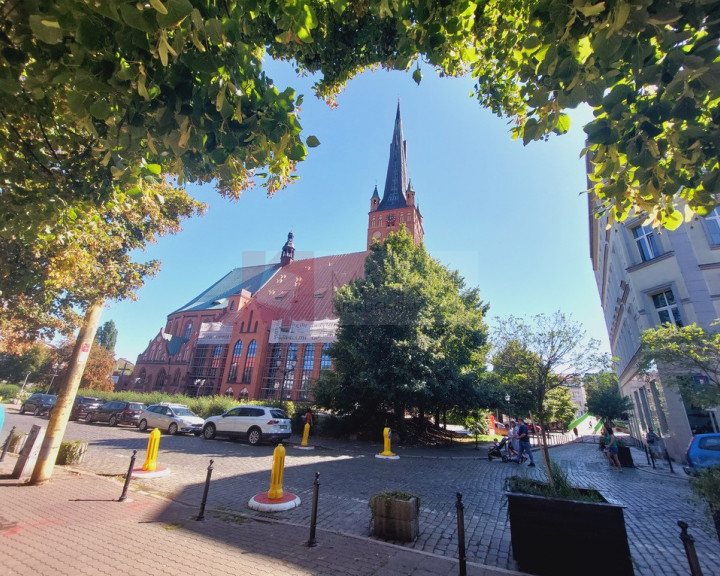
[411,337]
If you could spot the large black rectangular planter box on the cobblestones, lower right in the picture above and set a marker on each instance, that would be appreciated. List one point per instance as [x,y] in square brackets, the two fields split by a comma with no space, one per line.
[555,537]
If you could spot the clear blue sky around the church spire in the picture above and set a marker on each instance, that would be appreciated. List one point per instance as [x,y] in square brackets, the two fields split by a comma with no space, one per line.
[511,218]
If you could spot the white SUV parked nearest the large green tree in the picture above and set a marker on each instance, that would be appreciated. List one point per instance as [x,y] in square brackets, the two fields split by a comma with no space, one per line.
[256,423]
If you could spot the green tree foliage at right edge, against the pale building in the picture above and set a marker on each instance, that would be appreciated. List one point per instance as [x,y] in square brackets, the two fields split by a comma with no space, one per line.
[689,358]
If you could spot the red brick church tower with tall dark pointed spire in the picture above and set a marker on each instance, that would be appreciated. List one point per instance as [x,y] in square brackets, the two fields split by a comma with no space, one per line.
[397,206]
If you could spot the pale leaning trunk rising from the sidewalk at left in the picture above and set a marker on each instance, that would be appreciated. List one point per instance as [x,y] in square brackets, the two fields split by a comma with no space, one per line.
[68,389]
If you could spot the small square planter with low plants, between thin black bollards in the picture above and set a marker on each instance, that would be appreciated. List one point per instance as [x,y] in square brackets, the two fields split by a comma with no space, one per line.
[395,515]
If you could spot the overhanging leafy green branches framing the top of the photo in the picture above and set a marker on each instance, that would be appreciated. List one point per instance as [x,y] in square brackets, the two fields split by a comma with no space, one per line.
[177,87]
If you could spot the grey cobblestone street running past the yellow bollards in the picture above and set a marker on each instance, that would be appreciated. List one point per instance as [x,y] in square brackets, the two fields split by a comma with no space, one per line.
[654,500]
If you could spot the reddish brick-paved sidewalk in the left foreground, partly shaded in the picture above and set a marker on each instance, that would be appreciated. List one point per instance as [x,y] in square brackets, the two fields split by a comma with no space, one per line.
[75,525]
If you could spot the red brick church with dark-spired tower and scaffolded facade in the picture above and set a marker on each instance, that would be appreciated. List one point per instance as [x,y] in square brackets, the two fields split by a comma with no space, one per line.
[264,331]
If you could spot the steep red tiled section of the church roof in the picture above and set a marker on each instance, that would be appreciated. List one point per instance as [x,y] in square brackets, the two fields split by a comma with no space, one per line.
[304,289]
